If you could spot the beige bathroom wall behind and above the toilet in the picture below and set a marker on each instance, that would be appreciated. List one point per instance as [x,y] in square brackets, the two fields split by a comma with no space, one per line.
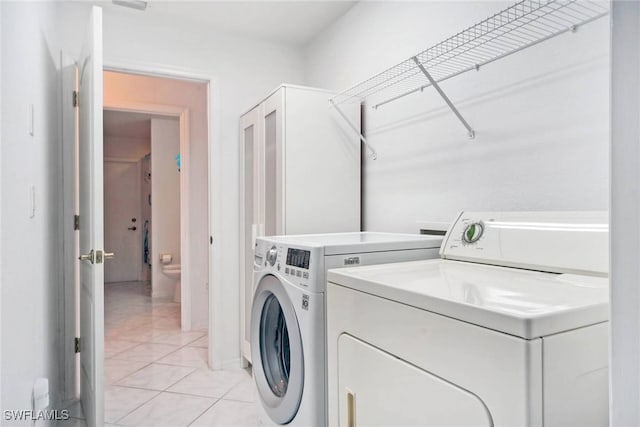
[165,202]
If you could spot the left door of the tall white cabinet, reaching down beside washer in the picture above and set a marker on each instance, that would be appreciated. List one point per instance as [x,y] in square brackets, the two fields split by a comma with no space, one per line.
[251,177]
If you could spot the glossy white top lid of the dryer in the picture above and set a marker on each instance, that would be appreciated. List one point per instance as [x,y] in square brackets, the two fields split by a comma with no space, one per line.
[524,303]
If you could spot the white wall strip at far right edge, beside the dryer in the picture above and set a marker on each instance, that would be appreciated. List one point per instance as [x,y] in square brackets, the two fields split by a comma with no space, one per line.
[625,214]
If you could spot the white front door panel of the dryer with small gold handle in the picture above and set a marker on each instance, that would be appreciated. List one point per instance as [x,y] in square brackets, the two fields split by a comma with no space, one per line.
[378,389]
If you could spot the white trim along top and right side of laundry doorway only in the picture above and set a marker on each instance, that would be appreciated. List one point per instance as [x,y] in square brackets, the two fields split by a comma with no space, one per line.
[218,334]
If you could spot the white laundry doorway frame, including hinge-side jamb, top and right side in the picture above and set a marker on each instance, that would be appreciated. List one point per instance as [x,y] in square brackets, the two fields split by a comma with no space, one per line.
[216,333]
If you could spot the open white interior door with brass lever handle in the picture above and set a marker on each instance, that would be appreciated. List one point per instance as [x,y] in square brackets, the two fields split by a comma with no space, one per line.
[91,222]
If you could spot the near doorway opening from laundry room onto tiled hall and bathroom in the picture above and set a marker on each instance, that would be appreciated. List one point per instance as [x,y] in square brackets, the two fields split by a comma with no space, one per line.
[156,199]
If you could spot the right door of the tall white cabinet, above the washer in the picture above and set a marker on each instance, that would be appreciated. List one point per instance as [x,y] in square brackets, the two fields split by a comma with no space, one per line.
[273,118]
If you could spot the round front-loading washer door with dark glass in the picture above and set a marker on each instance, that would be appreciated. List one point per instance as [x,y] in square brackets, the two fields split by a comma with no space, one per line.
[276,347]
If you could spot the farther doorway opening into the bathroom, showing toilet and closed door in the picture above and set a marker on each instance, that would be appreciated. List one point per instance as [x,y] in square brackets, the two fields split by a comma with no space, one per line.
[134,145]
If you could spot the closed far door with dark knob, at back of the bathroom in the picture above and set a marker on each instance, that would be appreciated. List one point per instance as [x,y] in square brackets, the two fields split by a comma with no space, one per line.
[122,228]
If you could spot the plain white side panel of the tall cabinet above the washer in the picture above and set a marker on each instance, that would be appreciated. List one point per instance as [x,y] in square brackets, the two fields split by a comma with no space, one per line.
[322,165]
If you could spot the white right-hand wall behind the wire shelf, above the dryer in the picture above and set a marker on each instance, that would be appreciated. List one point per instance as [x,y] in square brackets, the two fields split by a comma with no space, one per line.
[541,117]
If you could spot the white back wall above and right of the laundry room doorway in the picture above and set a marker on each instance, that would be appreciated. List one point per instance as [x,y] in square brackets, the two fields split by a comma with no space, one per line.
[243,72]
